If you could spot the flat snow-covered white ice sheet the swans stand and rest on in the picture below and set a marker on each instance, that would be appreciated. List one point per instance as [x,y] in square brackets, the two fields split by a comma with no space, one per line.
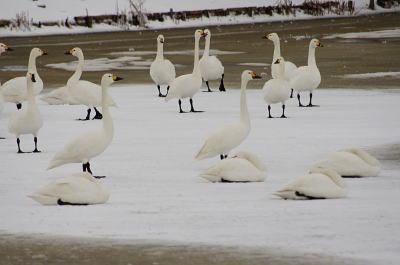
[156,194]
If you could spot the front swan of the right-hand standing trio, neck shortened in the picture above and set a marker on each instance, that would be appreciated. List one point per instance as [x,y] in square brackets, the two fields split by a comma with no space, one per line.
[277,90]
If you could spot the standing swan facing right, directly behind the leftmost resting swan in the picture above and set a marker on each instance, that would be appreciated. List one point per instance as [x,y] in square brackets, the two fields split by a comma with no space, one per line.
[92,143]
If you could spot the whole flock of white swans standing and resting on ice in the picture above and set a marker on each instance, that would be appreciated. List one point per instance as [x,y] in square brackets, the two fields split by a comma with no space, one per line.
[324,179]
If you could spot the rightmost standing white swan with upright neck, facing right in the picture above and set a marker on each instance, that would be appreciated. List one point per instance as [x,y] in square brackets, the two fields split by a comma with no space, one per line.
[307,78]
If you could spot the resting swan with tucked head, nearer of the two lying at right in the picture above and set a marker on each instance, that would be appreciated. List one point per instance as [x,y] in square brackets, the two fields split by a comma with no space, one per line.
[320,183]
